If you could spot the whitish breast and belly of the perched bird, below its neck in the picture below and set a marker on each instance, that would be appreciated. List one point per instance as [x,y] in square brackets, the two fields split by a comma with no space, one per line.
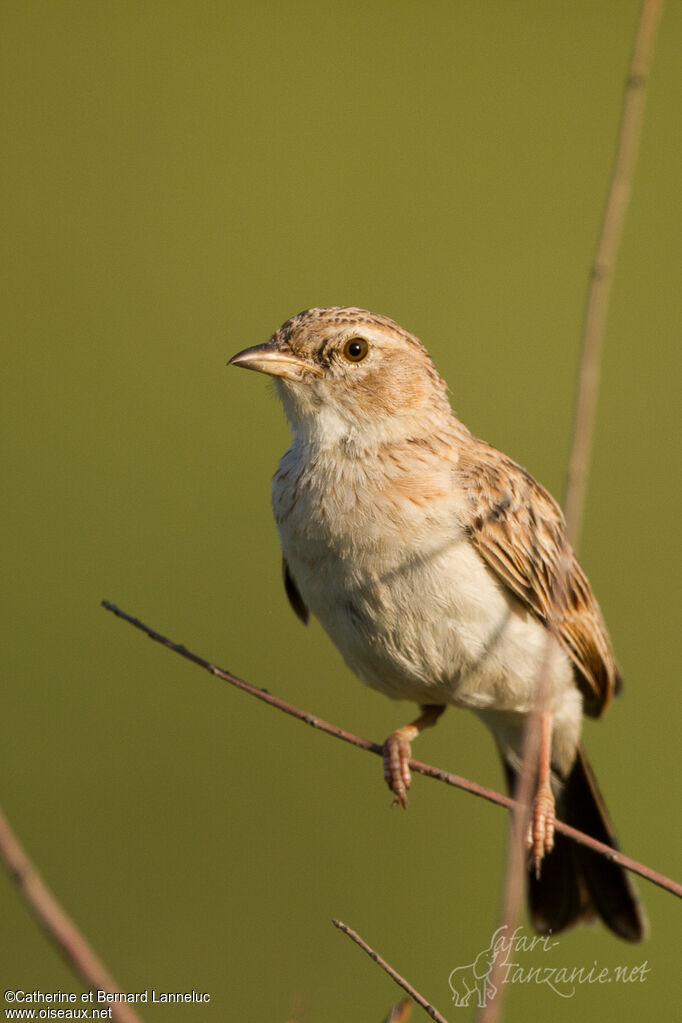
[402,593]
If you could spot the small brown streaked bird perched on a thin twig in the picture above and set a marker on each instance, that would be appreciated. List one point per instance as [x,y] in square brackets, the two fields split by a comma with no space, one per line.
[443,573]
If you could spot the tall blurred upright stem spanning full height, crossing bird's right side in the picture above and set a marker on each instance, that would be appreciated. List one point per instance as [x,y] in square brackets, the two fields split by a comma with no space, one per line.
[584,420]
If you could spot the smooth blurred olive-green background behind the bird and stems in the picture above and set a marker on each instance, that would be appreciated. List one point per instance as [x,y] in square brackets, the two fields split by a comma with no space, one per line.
[179,179]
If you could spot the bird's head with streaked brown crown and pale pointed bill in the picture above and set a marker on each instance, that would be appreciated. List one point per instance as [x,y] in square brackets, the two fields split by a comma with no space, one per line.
[345,372]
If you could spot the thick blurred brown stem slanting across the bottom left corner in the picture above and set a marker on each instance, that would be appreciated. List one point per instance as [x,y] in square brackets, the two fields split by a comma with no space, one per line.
[58,925]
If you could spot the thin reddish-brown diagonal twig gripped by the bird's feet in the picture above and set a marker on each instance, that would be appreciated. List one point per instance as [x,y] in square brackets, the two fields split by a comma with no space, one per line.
[416,766]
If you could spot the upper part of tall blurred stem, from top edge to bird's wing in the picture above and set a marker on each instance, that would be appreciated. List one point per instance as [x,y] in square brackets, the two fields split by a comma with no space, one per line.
[603,270]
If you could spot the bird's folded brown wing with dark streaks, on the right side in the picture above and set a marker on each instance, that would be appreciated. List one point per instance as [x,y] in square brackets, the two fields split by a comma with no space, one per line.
[521,532]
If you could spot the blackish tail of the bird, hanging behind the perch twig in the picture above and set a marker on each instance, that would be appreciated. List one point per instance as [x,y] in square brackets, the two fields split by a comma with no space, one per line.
[576,884]
